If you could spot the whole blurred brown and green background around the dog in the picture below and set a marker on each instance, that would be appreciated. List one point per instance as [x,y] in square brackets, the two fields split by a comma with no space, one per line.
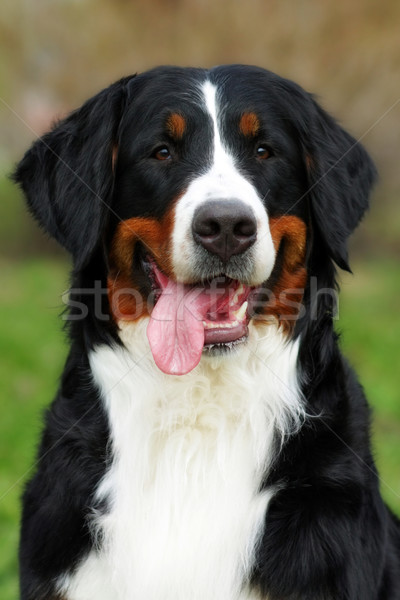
[56,53]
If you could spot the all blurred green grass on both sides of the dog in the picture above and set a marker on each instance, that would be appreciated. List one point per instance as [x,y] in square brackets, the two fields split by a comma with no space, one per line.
[33,350]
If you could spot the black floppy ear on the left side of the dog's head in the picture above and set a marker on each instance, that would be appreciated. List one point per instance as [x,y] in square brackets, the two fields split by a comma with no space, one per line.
[67,175]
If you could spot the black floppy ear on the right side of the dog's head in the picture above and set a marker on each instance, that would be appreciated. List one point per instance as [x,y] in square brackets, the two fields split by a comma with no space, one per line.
[341,175]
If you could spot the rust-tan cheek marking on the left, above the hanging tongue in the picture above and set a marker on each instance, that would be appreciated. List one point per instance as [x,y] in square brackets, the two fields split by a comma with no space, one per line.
[124,298]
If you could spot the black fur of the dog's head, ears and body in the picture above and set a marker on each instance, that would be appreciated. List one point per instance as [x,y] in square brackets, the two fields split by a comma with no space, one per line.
[328,534]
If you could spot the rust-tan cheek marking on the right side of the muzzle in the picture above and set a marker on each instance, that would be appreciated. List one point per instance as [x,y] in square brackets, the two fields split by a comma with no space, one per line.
[288,291]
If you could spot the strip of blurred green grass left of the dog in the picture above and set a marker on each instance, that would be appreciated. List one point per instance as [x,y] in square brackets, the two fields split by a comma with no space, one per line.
[32,351]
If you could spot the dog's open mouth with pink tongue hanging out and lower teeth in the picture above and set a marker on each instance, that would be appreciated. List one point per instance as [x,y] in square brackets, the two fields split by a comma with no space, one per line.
[189,319]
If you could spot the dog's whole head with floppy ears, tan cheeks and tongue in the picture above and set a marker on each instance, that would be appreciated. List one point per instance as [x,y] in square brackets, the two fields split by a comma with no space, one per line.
[205,191]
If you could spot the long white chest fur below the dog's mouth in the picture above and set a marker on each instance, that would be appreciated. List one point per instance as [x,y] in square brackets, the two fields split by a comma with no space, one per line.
[189,452]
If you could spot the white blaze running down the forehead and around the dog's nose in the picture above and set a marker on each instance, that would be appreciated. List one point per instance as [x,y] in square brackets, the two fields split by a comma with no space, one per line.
[222,181]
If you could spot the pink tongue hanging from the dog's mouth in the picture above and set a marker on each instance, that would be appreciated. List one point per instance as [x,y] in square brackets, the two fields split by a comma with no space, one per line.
[175,330]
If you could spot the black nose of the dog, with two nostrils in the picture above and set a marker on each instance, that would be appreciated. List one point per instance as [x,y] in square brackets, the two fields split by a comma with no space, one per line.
[224,227]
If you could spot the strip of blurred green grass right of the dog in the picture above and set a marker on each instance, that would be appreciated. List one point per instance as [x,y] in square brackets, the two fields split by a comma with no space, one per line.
[370,327]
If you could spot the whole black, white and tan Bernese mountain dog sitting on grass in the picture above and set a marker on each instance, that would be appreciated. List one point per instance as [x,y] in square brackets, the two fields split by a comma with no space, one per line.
[208,440]
